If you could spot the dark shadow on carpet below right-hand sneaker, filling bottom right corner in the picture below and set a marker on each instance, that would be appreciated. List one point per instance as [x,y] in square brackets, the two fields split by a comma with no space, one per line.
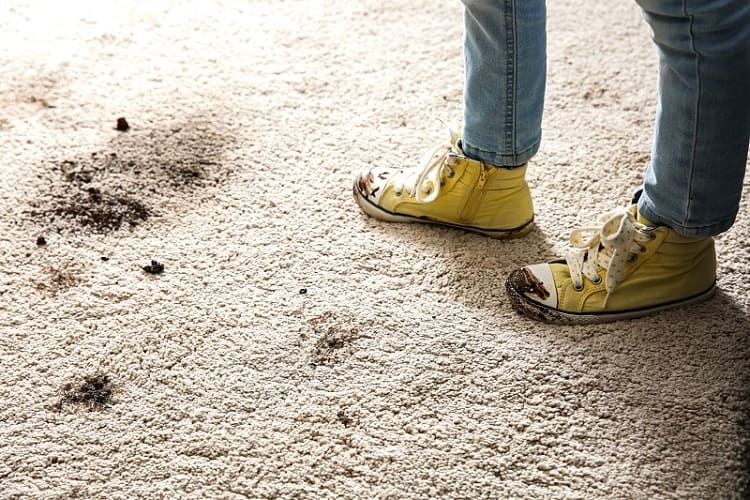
[677,388]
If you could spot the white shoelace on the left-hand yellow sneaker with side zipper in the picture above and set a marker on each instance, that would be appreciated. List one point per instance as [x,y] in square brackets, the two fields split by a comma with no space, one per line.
[424,182]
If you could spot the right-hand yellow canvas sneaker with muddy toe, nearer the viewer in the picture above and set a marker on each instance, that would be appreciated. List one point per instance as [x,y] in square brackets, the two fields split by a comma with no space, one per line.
[623,268]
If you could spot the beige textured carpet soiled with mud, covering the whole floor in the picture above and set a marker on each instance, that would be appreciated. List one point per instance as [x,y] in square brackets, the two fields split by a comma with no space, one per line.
[291,347]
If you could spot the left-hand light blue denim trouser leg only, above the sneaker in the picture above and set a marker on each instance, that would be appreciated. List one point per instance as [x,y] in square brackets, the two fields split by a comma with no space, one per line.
[505,61]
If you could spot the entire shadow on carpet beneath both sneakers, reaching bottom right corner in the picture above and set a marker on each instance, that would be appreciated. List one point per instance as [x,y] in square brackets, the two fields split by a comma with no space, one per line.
[665,395]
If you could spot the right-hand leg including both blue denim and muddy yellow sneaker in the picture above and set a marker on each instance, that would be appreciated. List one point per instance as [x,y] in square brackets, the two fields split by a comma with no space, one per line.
[662,254]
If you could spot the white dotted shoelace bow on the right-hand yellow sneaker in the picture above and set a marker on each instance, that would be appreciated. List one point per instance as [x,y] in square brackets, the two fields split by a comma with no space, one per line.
[620,234]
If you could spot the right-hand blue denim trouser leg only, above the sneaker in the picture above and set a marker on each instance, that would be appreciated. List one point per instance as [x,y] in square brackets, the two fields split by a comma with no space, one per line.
[694,181]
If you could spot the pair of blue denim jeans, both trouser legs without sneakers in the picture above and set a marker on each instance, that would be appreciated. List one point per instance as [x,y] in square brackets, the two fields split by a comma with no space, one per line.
[694,181]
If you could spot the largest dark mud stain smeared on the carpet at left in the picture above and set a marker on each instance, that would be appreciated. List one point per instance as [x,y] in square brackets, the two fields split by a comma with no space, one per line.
[136,176]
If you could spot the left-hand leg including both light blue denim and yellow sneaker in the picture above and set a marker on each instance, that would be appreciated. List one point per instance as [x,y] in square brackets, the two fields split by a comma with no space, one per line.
[457,184]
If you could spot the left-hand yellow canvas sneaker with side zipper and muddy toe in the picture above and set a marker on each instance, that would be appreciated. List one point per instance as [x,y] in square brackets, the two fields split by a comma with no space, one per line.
[451,189]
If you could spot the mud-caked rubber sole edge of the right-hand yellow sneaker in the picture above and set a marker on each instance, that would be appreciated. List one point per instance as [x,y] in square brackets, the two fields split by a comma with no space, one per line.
[547,314]
